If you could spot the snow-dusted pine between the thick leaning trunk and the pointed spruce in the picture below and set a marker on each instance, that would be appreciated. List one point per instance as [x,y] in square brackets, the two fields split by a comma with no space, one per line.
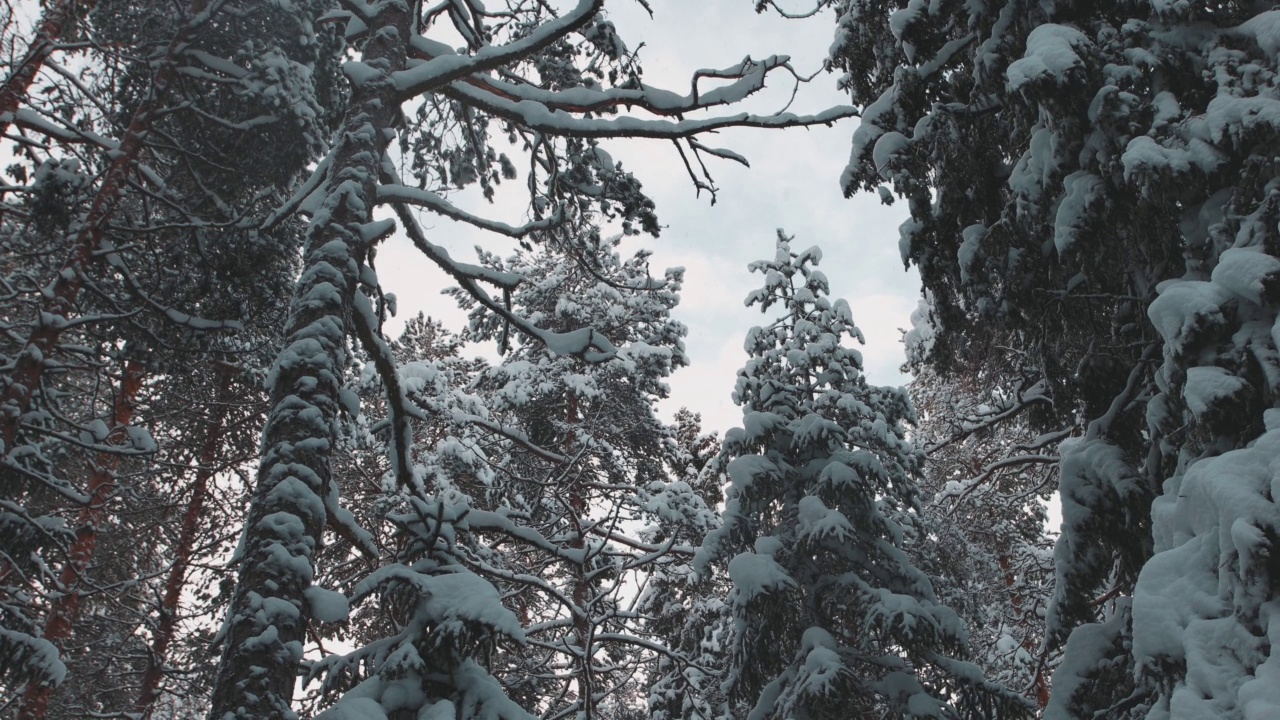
[600,421]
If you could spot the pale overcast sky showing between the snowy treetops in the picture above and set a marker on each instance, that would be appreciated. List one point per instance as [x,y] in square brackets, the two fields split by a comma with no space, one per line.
[793,185]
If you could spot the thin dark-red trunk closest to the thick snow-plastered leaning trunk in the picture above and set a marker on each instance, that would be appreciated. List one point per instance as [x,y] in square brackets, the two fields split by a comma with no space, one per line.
[168,626]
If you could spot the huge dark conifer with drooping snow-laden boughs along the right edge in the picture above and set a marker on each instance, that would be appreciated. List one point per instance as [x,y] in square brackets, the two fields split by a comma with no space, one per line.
[1084,180]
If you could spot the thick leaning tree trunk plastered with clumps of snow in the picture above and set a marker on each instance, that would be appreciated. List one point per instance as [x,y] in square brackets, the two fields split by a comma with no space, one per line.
[266,630]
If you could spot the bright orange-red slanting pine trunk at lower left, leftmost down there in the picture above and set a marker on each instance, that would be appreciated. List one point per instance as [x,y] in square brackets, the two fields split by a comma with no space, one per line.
[66,608]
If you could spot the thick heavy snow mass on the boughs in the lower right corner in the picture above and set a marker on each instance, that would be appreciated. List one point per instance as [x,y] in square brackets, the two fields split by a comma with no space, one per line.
[1200,598]
